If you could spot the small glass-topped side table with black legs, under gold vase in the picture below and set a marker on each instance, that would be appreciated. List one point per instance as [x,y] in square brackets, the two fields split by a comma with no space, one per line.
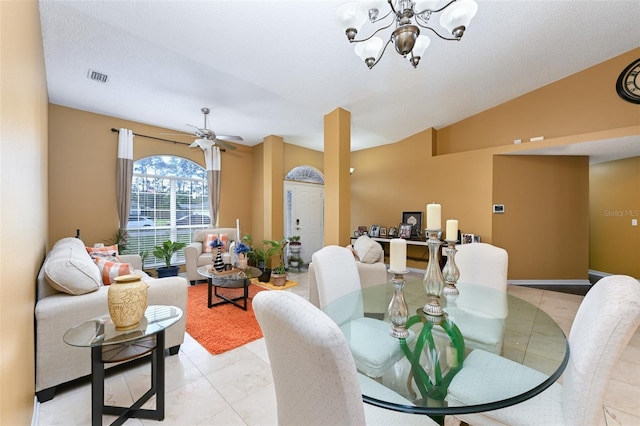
[111,345]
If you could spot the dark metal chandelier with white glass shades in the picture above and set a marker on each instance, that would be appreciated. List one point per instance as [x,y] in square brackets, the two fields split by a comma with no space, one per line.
[406,17]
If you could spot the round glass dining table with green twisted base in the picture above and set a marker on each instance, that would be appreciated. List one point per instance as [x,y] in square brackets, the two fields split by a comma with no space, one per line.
[420,375]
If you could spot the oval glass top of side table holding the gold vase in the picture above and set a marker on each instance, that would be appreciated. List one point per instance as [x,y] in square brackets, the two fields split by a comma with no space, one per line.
[101,331]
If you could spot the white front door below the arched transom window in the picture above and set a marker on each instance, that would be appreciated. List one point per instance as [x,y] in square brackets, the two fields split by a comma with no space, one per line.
[304,215]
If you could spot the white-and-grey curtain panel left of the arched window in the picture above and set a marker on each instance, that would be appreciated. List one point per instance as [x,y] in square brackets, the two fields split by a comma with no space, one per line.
[124,174]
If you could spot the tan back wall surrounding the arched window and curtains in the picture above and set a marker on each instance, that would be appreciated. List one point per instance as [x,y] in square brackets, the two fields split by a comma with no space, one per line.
[83,152]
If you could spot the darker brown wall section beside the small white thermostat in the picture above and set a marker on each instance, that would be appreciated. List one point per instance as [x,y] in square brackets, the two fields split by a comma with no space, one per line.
[545,223]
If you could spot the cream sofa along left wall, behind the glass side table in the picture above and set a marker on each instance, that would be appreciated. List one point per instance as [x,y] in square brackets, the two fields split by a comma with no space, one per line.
[69,291]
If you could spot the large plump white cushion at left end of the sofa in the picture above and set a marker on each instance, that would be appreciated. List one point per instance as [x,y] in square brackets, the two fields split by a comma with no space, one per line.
[70,269]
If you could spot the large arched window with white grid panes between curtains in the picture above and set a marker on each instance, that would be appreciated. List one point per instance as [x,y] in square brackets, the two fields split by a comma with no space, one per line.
[168,202]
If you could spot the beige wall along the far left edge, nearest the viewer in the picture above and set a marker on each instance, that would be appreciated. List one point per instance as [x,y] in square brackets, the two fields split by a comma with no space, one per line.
[23,197]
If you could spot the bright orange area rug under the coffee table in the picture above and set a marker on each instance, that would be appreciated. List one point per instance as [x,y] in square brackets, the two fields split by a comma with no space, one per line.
[223,327]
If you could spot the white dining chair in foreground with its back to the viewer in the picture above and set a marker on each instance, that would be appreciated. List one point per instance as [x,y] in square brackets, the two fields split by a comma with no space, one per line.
[314,374]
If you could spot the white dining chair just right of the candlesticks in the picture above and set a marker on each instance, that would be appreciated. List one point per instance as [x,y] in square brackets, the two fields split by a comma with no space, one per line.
[480,314]
